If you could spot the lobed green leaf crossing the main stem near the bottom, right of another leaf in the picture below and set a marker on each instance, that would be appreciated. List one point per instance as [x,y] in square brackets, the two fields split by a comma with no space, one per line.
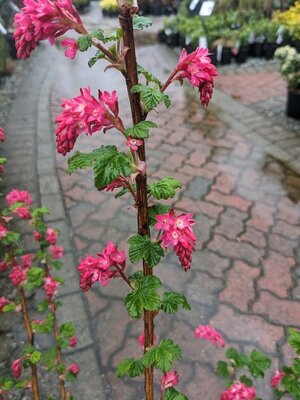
[163,355]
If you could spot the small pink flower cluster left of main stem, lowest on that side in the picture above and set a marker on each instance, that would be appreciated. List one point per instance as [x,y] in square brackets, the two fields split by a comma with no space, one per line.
[99,269]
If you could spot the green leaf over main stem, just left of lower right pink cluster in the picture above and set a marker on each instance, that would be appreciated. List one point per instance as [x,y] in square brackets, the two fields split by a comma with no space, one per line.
[141,247]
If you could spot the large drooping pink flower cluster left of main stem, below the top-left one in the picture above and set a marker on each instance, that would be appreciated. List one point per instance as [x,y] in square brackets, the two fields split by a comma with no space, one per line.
[85,114]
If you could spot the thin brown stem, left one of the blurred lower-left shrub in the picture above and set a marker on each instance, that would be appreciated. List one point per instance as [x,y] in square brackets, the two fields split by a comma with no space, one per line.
[27,323]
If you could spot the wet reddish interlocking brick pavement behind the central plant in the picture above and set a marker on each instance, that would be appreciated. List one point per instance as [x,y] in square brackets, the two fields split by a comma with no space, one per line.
[245,274]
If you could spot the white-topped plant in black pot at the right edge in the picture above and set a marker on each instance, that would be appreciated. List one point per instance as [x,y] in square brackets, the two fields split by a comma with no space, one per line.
[290,69]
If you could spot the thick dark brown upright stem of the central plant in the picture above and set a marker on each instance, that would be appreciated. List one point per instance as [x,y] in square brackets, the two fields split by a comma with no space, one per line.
[131,77]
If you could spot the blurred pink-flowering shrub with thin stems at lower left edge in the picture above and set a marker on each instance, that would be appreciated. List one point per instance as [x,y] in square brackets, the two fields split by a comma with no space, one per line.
[34,272]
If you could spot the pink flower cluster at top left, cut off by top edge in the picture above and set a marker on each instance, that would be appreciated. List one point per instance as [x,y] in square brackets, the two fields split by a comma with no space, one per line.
[41,20]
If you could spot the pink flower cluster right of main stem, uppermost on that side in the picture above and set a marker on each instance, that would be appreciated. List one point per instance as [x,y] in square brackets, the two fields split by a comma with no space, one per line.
[199,70]
